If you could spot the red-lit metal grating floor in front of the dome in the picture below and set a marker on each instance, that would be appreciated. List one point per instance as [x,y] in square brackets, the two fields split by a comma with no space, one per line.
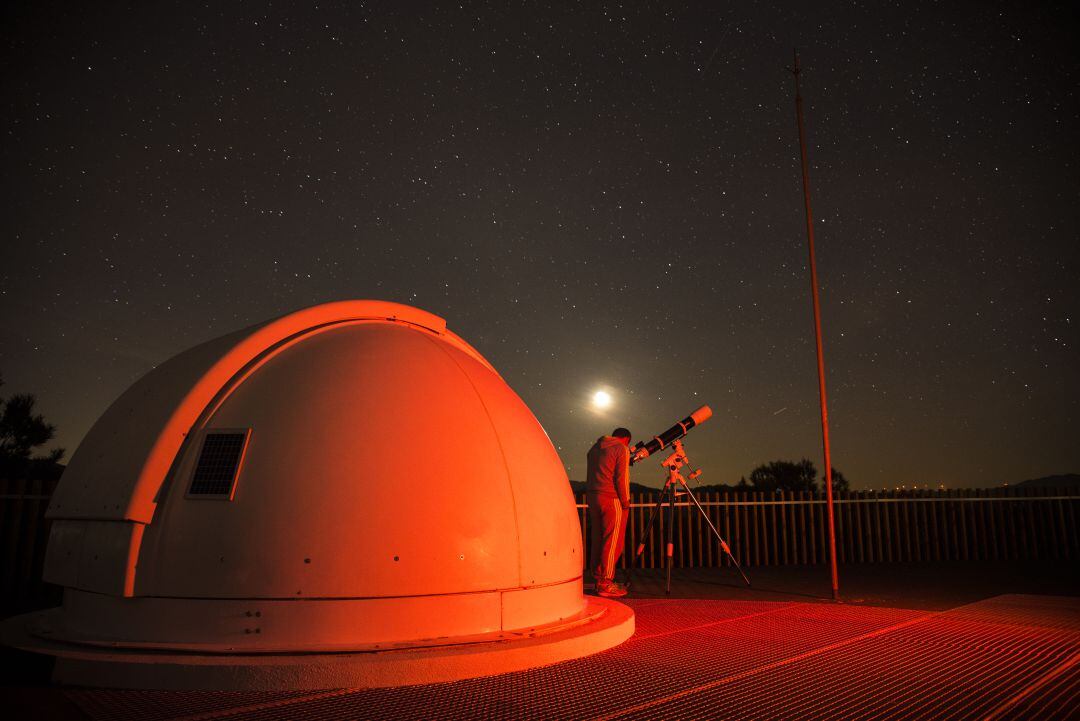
[1008,658]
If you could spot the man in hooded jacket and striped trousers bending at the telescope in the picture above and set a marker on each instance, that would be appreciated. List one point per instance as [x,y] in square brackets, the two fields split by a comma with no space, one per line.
[607,486]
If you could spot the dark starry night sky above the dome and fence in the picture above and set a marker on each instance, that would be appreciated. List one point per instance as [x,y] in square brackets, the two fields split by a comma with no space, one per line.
[595,196]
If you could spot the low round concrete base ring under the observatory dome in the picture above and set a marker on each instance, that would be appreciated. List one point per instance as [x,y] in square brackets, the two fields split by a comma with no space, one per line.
[605,624]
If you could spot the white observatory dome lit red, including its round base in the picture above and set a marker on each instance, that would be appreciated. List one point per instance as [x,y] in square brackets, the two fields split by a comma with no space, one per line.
[348,479]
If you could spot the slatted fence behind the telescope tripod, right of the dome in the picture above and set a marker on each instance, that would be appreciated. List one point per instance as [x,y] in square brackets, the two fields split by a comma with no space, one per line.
[872,527]
